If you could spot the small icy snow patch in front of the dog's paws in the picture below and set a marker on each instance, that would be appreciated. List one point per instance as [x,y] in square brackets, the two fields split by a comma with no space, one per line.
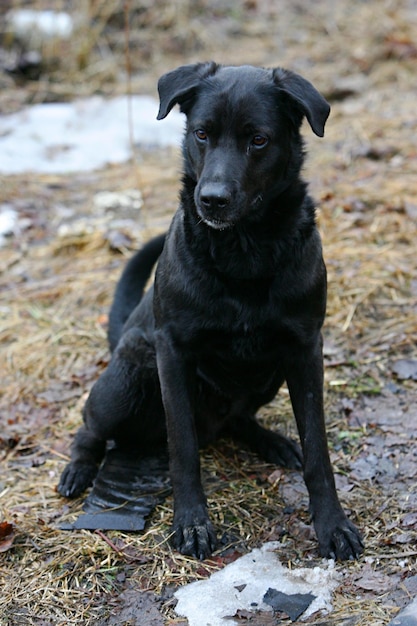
[210,602]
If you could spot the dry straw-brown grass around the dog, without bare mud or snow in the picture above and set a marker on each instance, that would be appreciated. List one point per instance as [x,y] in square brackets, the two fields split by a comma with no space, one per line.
[56,292]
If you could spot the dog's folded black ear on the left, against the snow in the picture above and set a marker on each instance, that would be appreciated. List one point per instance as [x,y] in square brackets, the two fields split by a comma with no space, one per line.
[180,85]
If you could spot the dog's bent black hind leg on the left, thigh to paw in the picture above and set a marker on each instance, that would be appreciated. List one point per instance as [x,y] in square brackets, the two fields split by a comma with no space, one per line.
[125,406]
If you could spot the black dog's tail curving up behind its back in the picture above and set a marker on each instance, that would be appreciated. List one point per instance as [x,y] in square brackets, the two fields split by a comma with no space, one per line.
[130,288]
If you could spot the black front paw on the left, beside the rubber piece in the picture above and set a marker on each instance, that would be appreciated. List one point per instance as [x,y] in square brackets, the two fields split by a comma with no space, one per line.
[194,534]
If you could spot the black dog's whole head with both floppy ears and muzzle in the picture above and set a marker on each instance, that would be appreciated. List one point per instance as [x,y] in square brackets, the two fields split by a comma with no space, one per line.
[242,145]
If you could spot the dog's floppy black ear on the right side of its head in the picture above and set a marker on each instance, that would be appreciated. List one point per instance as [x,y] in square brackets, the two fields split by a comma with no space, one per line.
[309,100]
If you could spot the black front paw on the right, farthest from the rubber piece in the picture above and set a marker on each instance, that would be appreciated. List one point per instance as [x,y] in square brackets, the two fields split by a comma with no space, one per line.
[340,541]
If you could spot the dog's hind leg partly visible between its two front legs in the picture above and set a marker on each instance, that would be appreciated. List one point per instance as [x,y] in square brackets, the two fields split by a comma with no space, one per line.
[270,446]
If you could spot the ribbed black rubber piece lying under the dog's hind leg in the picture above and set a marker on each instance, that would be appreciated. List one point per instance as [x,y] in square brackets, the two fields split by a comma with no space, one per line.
[125,492]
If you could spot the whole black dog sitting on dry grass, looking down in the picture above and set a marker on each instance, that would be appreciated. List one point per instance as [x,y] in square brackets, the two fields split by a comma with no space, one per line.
[236,309]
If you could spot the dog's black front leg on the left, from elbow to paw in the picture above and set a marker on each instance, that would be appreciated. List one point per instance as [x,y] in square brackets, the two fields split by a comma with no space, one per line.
[193,533]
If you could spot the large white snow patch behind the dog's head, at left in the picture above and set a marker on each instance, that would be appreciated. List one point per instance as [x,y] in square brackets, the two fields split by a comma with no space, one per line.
[84,135]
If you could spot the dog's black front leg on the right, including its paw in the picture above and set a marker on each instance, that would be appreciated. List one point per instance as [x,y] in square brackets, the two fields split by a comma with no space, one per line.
[337,536]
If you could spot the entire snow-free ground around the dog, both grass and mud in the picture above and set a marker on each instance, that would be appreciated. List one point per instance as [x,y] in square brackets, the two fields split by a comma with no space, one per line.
[58,273]
